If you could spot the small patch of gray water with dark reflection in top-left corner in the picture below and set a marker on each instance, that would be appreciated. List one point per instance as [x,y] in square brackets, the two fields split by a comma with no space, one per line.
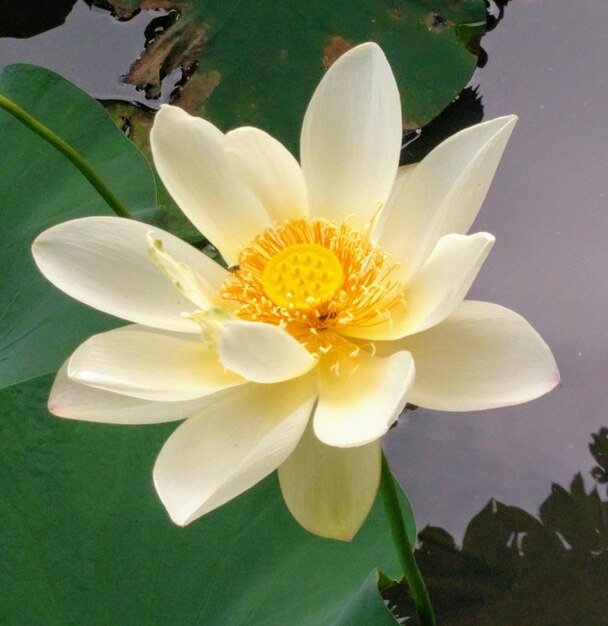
[92,49]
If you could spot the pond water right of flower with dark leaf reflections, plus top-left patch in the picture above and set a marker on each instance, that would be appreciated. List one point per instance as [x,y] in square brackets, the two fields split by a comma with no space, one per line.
[548,210]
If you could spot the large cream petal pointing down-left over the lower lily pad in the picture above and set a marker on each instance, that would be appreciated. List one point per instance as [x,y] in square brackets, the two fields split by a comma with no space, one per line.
[214,457]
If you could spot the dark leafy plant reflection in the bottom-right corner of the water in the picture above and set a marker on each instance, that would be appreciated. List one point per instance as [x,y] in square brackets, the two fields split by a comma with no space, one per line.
[517,569]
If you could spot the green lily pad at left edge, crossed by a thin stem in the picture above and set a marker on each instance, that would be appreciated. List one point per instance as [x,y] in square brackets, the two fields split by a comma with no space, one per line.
[39,187]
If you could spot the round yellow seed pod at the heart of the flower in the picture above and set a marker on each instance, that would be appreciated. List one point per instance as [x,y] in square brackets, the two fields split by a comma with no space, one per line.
[302,275]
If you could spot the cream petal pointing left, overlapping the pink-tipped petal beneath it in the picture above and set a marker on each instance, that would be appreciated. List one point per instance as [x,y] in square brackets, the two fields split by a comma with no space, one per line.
[148,365]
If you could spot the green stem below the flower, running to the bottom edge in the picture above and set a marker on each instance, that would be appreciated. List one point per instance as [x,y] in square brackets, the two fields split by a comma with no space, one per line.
[411,572]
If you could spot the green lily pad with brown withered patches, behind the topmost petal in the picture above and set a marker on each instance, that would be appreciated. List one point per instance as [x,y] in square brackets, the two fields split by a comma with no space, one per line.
[256,62]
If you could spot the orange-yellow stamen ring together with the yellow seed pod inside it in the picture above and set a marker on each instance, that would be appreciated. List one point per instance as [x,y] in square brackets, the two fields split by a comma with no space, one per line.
[318,280]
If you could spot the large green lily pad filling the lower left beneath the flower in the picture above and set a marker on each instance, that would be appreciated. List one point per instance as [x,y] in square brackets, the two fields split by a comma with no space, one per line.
[85,541]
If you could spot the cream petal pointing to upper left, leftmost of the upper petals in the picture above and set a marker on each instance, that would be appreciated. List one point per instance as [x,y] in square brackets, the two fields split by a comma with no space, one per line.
[189,156]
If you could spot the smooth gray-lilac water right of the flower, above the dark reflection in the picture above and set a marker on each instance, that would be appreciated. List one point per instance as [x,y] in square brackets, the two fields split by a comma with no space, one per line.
[548,208]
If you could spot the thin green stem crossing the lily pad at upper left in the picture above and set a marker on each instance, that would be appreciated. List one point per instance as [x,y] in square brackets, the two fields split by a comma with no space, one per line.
[48,135]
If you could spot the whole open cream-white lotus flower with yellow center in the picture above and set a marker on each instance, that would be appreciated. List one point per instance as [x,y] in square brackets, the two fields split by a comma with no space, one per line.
[343,301]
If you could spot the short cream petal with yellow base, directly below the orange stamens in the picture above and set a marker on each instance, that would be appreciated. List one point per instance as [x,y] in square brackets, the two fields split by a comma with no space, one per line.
[357,407]
